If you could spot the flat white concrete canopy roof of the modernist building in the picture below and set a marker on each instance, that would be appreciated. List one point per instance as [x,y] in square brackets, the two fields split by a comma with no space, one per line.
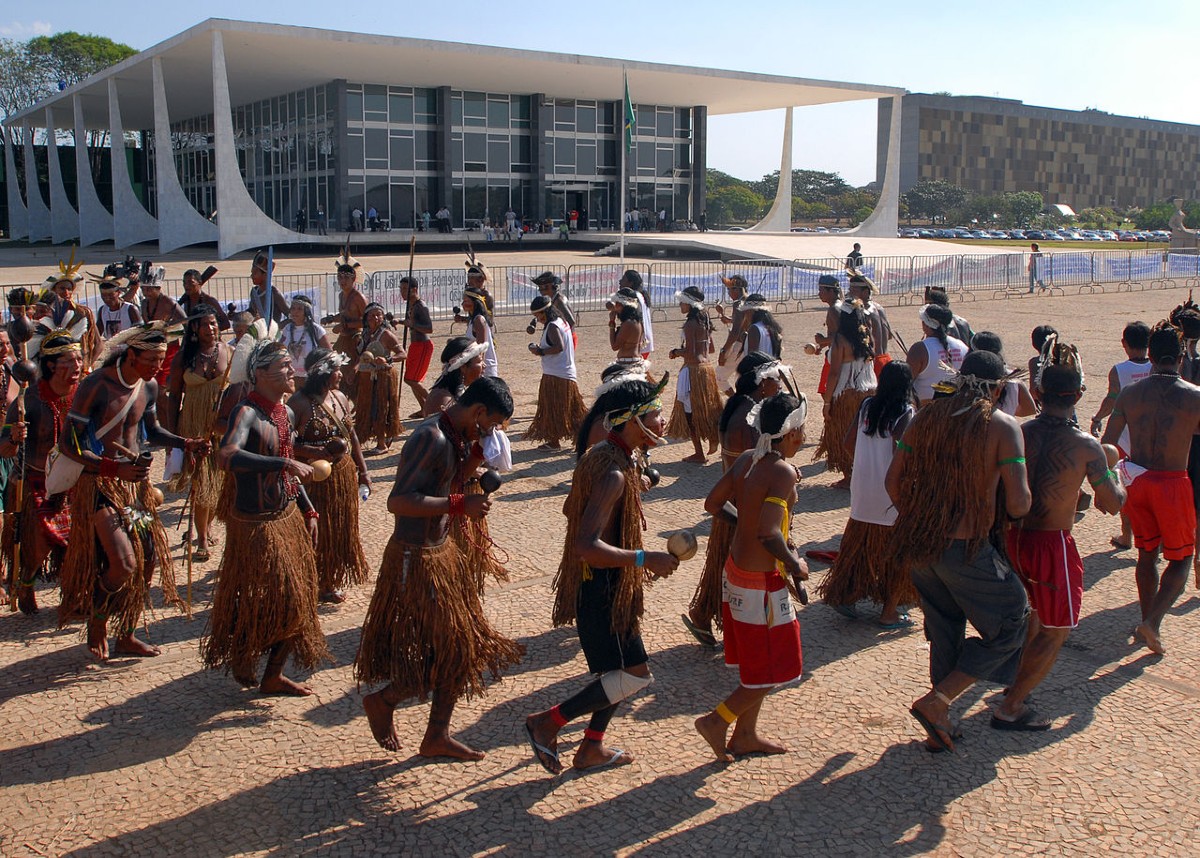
[267,61]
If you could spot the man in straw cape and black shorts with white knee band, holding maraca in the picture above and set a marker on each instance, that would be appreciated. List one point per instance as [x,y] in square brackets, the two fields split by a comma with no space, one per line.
[604,572]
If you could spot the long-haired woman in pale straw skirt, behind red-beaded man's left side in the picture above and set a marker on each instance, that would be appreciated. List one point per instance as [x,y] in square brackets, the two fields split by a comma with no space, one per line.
[199,375]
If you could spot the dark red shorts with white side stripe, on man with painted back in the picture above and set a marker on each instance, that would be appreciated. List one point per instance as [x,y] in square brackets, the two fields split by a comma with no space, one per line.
[1048,565]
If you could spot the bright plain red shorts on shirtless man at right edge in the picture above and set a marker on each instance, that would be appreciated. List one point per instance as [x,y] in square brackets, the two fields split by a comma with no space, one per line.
[1161,513]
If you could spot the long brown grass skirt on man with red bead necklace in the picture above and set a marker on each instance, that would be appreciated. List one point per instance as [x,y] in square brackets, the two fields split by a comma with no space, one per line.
[266,593]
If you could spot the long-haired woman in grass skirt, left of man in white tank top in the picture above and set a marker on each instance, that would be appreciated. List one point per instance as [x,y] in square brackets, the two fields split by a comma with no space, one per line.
[853,377]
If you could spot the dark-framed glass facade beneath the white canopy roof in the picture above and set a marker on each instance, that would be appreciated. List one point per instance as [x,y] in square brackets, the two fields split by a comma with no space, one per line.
[406,151]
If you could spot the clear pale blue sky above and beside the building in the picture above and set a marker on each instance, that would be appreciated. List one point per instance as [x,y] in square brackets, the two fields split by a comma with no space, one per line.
[1115,56]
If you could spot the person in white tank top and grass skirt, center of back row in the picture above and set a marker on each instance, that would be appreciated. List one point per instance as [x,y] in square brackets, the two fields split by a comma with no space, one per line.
[561,409]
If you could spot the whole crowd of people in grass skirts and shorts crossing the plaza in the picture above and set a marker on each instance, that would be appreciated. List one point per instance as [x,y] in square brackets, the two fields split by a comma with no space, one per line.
[956,505]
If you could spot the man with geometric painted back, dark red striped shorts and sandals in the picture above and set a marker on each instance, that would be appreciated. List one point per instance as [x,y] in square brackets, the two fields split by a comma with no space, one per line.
[1041,549]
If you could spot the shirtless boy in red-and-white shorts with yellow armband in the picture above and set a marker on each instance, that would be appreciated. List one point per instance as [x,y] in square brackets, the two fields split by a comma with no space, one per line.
[763,635]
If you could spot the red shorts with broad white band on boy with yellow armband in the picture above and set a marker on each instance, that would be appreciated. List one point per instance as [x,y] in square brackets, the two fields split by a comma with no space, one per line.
[763,635]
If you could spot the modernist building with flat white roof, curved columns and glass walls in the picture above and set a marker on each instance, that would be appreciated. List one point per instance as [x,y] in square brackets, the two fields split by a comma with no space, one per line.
[265,122]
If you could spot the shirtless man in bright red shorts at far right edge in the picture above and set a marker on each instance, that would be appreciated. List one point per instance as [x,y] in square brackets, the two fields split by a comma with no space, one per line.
[1163,413]
